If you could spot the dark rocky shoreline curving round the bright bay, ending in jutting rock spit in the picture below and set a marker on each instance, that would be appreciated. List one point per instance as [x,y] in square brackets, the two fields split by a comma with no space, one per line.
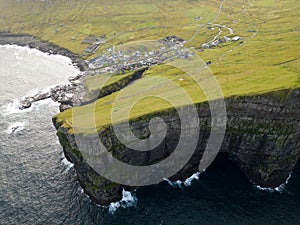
[68,95]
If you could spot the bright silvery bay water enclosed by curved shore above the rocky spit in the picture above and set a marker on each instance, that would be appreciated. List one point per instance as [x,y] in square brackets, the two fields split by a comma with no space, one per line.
[46,71]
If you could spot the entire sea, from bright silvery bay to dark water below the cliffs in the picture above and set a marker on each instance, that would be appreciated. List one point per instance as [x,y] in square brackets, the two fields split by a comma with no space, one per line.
[37,186]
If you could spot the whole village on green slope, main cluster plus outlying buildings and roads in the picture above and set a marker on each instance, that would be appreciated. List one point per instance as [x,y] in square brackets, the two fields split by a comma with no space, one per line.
[131,58]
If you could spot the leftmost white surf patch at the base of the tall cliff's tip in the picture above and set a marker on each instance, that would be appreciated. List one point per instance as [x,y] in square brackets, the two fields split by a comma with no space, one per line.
[128,200]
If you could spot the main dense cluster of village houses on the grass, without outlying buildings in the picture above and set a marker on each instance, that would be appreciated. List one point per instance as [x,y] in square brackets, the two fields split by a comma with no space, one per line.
[119,61]
